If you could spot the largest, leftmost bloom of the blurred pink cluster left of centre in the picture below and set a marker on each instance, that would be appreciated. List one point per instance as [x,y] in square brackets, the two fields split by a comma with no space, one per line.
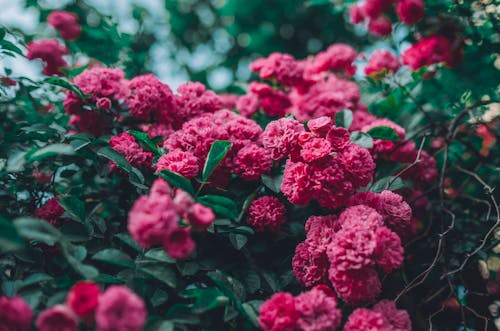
[151,218]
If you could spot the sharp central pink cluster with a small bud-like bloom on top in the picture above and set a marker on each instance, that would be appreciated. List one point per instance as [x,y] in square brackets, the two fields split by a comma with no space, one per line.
[323,164]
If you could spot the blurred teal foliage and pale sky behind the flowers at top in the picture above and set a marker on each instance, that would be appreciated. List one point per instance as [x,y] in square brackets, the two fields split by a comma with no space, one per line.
[211,41]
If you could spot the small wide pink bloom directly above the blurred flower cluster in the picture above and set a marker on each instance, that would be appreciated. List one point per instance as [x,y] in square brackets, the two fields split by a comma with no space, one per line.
[183,163]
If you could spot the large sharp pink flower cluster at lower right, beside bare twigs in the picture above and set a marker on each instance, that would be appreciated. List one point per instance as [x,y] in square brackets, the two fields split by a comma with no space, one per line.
[348,251]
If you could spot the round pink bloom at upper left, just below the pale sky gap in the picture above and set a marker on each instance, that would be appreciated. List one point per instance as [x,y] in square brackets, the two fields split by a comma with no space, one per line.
[150,100]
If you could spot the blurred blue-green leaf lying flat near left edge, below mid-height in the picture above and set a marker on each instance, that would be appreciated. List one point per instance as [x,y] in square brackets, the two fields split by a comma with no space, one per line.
[39,230]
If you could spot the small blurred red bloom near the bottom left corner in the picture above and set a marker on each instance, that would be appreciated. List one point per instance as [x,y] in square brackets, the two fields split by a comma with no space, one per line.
[83,298]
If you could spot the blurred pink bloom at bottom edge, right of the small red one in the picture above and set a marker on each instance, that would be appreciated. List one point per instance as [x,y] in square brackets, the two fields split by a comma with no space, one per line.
[120,309]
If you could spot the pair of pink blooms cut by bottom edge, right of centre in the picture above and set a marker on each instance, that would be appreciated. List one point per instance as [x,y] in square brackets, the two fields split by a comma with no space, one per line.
[314,310]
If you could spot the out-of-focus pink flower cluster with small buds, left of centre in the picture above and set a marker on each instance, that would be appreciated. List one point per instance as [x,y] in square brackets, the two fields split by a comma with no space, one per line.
[165,218]
